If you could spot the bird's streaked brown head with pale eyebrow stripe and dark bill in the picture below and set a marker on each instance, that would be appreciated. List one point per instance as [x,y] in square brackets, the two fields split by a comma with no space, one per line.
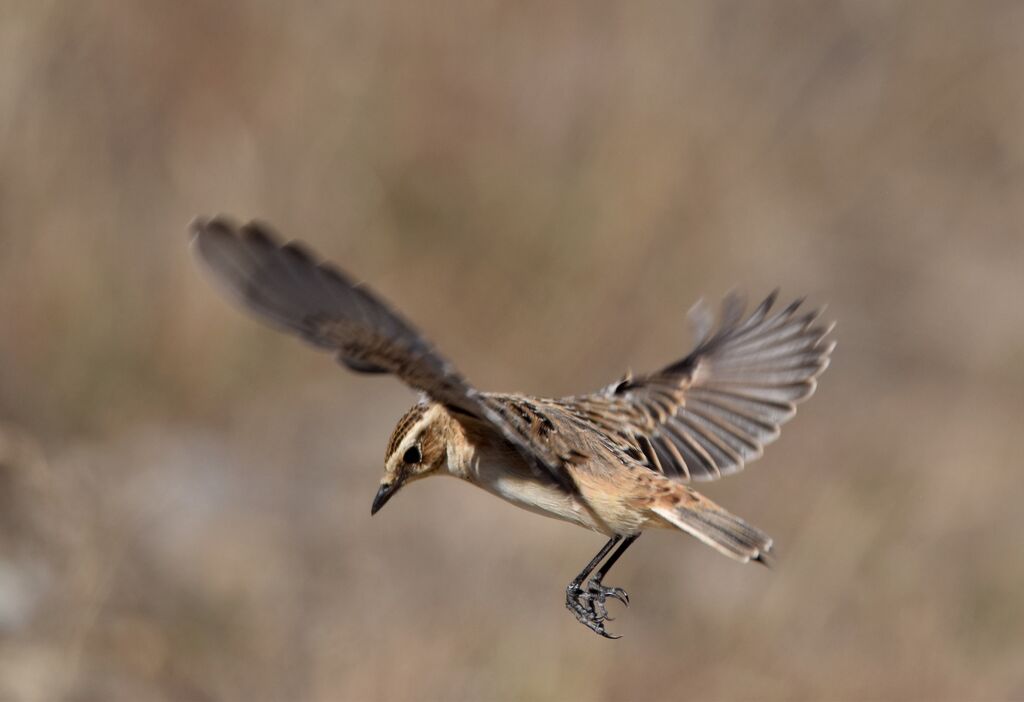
[418,449]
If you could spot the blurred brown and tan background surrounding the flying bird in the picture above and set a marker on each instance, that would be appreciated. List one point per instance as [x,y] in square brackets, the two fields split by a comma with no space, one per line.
[545,189]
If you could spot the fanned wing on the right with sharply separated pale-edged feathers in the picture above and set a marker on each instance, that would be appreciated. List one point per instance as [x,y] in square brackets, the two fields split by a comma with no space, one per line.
[710,414]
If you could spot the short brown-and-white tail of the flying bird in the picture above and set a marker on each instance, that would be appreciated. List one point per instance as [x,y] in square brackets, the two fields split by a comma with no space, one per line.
[720,530]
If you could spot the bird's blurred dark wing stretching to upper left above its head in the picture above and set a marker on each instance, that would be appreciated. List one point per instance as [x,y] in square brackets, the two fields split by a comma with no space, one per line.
[286,286]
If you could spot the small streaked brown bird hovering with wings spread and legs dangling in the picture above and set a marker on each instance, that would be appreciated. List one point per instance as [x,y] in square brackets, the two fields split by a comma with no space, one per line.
[619,461]
